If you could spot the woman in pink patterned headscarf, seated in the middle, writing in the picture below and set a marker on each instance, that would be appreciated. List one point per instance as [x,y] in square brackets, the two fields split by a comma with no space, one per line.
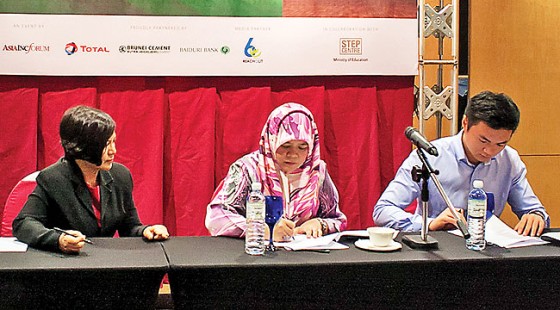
[287,164]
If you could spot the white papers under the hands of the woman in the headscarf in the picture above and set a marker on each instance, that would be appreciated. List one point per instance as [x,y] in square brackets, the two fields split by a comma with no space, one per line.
[328,242]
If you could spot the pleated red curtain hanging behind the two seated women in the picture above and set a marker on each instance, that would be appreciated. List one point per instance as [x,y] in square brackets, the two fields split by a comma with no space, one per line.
[178,135]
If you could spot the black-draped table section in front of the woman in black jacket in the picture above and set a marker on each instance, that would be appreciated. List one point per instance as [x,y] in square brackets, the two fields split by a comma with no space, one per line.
[120,273]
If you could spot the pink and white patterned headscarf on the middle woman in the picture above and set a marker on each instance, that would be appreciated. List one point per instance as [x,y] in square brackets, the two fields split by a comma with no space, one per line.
[292,121]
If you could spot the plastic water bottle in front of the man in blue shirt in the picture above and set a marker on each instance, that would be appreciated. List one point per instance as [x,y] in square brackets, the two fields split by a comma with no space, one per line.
[476,216]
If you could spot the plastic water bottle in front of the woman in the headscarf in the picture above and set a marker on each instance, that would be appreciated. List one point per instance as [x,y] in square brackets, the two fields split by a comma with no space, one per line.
[254,236]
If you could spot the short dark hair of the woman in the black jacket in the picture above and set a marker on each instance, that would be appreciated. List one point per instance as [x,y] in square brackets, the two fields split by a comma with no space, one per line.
[84,132]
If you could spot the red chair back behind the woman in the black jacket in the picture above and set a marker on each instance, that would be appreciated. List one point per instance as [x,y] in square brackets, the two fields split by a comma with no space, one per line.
[16,200]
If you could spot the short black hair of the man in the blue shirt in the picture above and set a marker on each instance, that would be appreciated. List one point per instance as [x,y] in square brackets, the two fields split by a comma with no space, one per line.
[498,111]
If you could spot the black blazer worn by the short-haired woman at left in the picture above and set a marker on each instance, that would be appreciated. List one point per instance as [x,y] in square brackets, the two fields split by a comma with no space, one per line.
[62,199]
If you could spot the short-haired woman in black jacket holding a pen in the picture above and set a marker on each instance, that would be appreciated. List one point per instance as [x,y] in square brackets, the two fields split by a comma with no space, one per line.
[85,192]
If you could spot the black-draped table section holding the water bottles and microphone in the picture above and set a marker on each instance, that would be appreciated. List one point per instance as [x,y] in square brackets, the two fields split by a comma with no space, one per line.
[210,272]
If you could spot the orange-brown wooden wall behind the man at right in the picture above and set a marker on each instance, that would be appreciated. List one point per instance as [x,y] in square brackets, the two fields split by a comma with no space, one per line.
[515,49]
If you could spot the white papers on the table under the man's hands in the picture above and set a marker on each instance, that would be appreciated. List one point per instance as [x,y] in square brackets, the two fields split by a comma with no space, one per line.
[500,234]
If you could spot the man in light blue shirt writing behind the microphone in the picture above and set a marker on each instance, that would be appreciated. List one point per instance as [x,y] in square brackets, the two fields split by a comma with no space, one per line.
[478,152]
